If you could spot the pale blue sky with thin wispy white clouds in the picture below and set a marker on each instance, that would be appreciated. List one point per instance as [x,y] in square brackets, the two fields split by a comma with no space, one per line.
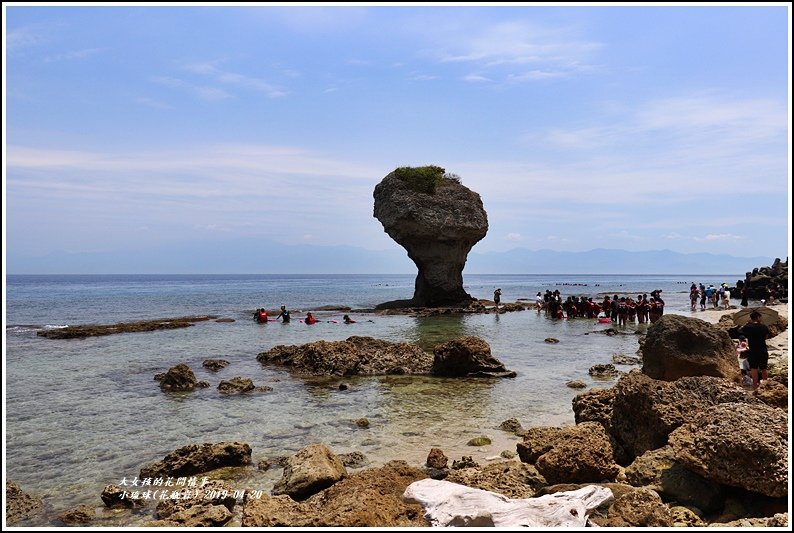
[622,127]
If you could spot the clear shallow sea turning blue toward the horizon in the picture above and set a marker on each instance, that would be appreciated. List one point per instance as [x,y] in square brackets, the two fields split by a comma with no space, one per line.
[84,413]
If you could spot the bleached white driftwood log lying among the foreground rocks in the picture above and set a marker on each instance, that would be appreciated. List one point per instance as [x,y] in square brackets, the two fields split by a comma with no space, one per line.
[451,504]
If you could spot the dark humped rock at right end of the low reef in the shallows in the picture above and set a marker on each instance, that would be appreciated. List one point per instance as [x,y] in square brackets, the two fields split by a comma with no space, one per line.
[467,356]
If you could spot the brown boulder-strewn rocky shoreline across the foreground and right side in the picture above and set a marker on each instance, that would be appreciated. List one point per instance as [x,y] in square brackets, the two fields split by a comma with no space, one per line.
[678,443]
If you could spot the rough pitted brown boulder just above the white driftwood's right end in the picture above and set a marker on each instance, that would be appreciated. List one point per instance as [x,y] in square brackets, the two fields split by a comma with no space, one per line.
[577,454]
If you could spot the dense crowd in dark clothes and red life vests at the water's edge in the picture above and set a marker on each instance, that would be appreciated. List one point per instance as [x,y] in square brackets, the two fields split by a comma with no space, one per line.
[618,309]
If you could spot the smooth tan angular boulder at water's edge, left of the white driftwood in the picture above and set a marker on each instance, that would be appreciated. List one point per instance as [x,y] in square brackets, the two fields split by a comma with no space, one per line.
[309,471]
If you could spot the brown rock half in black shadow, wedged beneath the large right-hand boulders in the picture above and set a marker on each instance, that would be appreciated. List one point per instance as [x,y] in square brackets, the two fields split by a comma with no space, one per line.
[658,470]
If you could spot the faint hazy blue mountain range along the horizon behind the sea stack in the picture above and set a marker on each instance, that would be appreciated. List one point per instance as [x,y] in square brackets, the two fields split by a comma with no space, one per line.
[265,257]
